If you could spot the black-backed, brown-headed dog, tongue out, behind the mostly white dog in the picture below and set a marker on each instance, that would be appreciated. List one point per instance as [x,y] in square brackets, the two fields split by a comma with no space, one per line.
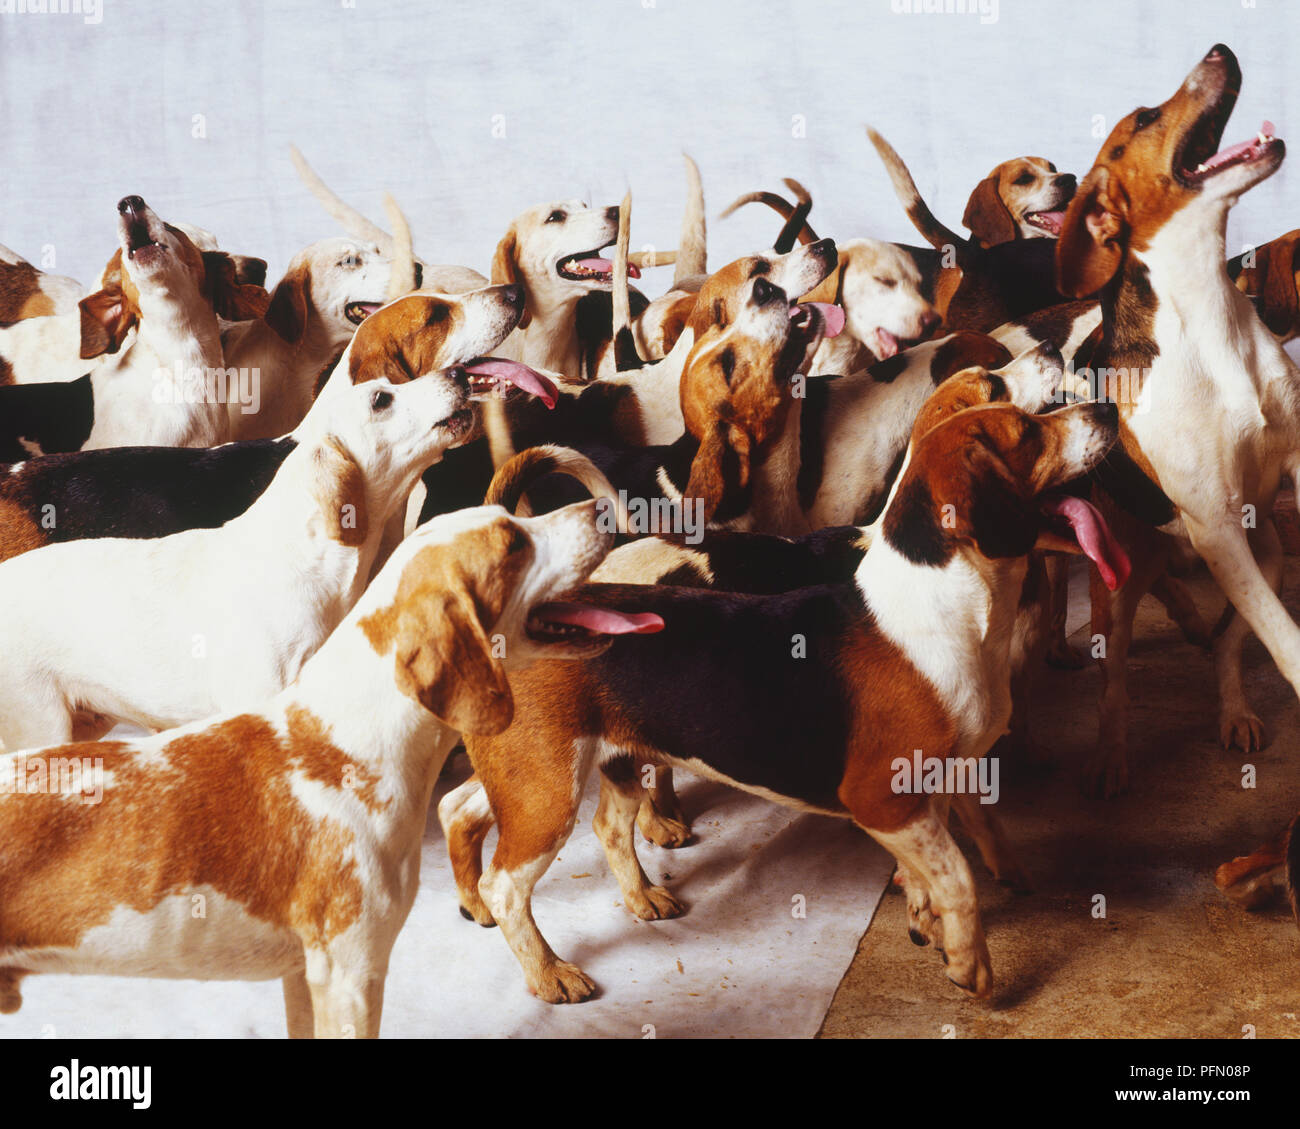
[154,492]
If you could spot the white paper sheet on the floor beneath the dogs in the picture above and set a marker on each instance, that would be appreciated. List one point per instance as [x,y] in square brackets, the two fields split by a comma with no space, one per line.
[739,963]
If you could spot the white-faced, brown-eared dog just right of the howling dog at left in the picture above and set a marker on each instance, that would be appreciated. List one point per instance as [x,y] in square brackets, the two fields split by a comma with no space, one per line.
[314,312]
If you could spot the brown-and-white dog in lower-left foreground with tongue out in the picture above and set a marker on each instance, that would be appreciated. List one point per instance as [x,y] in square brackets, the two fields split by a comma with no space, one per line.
[296,828]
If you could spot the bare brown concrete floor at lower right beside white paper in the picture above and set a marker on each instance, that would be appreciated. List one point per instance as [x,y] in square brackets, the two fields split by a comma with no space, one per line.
[1172,958]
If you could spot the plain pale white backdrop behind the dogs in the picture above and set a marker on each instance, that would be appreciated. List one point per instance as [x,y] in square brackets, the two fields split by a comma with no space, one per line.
[593,97]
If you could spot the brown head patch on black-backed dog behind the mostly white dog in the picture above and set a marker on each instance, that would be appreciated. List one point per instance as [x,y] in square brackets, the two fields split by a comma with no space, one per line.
[404,340]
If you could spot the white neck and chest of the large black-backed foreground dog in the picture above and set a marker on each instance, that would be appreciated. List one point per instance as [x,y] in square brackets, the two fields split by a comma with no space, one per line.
[955,624]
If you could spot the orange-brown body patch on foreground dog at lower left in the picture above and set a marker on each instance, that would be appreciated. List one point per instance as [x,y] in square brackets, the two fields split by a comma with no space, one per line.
[207,819]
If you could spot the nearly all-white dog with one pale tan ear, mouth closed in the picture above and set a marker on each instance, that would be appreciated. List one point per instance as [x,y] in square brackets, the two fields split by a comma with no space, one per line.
[164,631]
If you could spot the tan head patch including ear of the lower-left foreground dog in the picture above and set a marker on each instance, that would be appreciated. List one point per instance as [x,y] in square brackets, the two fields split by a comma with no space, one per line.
[437,626]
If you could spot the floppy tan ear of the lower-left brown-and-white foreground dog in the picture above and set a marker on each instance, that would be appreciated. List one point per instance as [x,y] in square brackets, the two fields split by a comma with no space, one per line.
[445,661]
